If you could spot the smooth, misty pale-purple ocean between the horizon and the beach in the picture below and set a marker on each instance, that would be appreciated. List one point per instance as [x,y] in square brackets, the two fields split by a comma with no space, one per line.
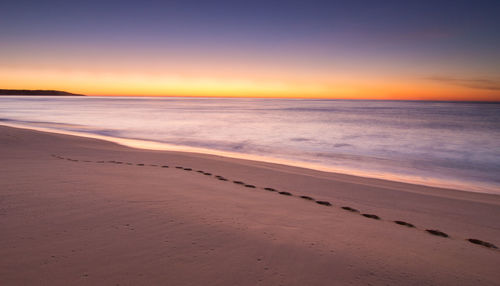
[446,144]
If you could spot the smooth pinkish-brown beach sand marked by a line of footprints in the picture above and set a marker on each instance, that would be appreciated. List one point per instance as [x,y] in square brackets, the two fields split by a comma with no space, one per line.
[79,211]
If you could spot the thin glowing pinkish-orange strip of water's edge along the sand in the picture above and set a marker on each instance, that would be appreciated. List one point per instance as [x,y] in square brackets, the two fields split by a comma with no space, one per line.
[159,146]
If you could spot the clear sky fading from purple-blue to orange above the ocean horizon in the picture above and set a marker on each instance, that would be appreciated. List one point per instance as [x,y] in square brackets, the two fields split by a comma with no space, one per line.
[403,50]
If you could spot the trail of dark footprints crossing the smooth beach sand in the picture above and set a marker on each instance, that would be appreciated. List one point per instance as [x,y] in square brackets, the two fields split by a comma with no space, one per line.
[307,198]
